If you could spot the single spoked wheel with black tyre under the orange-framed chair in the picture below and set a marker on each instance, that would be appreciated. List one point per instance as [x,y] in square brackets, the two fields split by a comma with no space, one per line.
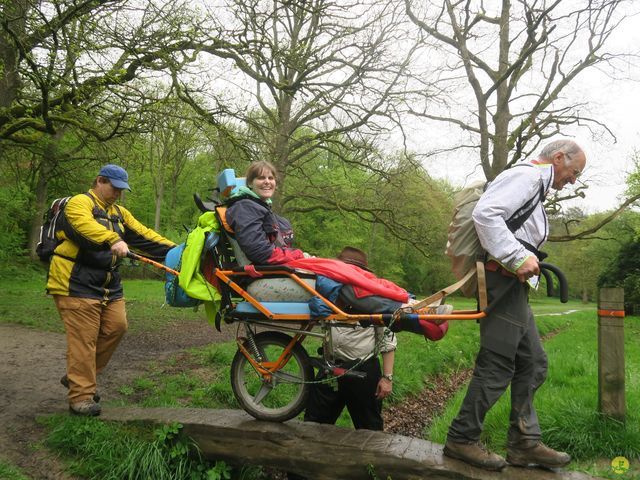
[281,396]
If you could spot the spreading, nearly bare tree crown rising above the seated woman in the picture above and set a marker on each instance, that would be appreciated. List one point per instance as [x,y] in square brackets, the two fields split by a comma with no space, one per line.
[324,76]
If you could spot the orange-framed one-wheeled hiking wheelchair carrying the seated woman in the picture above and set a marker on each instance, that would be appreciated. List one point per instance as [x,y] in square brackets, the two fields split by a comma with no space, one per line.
[271,372]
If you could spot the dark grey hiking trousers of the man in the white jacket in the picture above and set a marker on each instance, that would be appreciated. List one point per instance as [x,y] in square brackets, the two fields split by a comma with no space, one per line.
[510,353]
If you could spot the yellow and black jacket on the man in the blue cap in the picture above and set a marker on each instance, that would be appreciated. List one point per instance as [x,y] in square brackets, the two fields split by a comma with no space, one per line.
[82,264]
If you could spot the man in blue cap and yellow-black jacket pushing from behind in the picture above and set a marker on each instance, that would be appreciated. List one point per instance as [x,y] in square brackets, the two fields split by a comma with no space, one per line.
[85,283]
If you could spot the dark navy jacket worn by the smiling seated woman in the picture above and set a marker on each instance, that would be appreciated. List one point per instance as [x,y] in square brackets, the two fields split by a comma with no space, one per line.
[264,237]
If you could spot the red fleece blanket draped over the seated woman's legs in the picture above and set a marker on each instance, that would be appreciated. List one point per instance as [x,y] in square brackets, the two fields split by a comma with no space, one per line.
[364,283]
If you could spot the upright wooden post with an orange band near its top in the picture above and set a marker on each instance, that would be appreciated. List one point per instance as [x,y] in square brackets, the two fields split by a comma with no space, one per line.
[611,352]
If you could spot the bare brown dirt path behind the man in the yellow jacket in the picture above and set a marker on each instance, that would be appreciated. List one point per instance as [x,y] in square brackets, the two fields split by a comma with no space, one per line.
[32,362]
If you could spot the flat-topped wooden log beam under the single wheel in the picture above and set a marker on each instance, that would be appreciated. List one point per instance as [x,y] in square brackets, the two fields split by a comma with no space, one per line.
[320,452]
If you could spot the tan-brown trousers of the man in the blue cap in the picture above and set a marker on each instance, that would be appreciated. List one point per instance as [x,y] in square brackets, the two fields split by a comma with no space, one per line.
[94,330]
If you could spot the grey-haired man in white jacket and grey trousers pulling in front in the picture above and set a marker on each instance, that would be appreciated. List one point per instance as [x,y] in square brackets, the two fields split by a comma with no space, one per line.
[511,352]
